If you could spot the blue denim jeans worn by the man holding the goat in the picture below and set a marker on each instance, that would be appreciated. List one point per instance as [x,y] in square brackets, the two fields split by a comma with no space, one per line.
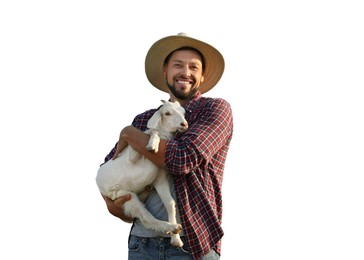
[160,248]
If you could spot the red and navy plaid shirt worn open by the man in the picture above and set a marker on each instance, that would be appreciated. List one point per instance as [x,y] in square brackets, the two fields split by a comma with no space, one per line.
[196,161]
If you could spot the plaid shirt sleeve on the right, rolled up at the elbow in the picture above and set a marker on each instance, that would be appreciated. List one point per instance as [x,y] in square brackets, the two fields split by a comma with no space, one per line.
[209,132]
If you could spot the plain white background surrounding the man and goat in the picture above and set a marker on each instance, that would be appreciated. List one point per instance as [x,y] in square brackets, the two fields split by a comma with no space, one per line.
[72,75]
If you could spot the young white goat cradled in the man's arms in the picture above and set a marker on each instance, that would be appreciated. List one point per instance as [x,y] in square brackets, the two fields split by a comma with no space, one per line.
[131,173]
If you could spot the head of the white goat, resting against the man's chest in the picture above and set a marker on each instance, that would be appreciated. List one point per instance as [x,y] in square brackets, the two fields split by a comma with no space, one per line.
[169,118]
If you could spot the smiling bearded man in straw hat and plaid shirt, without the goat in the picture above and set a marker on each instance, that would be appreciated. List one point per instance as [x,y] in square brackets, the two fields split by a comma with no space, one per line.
[185,68]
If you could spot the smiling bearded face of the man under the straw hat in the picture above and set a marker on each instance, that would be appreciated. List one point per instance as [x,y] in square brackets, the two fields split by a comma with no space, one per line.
[183,73]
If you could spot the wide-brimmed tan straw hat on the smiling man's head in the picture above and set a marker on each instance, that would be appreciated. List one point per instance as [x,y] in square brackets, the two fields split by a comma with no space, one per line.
[154,61]
